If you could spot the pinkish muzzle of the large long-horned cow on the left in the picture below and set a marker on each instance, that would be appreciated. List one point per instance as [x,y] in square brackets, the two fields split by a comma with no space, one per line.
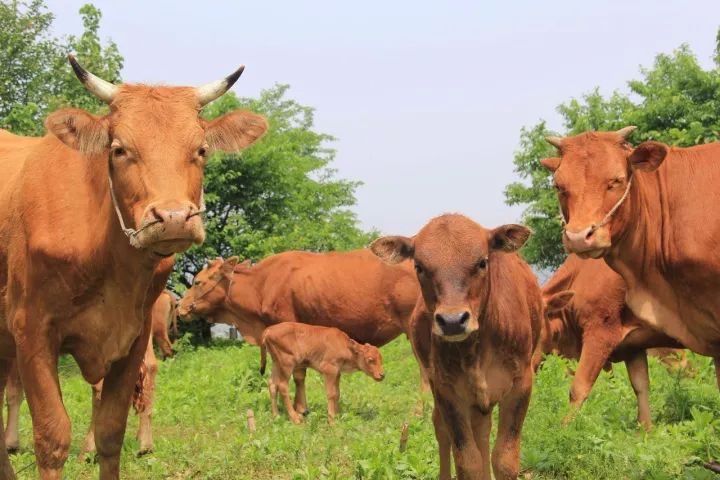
[169,227]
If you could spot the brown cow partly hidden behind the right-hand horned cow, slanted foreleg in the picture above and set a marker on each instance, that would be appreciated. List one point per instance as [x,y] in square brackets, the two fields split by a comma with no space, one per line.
[587,320]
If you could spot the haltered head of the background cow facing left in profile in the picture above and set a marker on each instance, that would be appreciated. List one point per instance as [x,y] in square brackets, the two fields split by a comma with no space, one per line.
[209,289]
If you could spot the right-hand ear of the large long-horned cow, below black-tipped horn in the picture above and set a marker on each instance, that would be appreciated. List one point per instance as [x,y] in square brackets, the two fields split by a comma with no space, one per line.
[235,130]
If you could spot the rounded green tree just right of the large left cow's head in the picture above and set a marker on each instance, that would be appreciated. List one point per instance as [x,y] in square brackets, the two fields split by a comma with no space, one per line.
[278,195]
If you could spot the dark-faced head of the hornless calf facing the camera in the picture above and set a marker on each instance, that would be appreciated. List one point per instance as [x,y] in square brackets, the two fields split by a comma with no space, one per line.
[452,257]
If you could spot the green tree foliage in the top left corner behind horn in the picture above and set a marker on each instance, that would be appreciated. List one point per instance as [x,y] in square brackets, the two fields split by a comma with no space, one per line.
[35,77]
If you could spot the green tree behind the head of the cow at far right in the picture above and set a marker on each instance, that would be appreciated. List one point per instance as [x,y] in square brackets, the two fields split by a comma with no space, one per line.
[676,102]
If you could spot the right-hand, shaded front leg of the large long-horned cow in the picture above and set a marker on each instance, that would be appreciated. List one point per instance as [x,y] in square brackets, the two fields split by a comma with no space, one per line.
[118,387]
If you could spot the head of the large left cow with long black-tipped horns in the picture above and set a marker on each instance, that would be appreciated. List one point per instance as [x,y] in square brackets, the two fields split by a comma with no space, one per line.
[155,144]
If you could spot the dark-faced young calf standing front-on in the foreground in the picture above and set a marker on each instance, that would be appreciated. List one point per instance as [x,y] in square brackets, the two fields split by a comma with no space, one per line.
[474,328]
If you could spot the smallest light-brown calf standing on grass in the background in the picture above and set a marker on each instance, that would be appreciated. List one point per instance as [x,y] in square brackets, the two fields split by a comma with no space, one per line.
[328,350]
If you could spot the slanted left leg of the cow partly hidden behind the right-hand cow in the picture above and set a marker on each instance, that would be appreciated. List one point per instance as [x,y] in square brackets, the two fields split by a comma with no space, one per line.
[595,353]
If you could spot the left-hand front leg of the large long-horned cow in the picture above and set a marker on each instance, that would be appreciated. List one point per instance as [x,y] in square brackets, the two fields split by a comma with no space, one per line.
[37,365]
